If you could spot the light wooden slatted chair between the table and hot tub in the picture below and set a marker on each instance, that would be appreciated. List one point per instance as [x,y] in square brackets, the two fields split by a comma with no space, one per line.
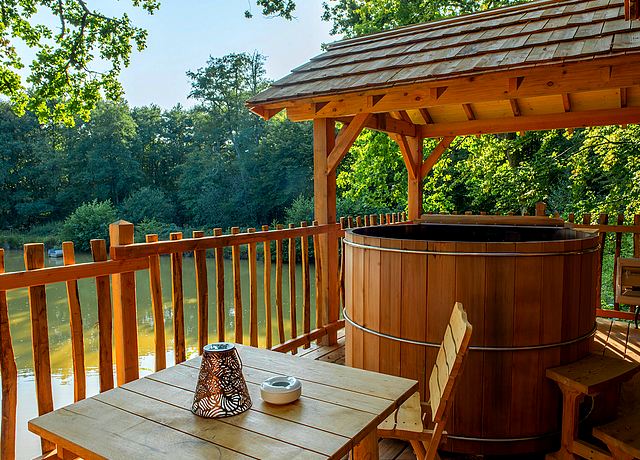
[408,422]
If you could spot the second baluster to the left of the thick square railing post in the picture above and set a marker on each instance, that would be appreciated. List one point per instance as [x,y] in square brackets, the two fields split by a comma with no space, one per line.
[75,323]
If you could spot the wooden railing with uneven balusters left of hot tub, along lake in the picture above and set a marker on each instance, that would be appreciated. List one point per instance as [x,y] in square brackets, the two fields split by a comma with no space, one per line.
[115,283]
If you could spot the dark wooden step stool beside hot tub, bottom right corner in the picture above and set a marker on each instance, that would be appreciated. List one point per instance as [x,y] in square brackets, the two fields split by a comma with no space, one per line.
[589,376]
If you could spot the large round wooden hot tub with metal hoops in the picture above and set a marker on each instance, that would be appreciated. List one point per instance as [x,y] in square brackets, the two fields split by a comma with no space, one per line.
[529,292]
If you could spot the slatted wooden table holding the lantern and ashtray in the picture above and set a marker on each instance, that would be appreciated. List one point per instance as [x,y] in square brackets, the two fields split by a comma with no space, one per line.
[338,412]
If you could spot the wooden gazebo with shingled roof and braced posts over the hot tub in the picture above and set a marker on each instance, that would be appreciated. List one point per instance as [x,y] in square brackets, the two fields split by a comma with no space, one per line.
[535,66]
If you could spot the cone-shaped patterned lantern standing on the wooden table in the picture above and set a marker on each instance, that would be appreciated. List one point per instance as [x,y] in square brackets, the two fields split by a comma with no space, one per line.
[221,390]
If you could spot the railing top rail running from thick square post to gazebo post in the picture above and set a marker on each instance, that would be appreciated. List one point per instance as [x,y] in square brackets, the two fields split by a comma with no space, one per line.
[138,250]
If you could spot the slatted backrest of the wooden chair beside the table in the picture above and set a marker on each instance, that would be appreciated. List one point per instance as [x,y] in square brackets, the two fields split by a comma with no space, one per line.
[449,361]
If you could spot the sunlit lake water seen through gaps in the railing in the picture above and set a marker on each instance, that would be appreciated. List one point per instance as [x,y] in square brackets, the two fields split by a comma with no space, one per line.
[27,444]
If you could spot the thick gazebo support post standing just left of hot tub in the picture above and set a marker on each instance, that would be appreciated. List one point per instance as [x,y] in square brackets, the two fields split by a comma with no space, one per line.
[324,183]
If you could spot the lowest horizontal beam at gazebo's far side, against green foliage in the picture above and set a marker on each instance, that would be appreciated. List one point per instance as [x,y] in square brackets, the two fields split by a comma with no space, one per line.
[534,122]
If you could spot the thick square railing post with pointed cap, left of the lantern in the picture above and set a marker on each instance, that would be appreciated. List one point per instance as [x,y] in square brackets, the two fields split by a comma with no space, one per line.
[125,322]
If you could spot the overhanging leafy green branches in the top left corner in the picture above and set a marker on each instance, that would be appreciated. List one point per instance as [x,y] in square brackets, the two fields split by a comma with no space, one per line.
[76,62]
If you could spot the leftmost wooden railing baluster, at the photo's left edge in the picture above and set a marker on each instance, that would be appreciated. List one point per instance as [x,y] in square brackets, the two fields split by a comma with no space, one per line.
[9,374]
